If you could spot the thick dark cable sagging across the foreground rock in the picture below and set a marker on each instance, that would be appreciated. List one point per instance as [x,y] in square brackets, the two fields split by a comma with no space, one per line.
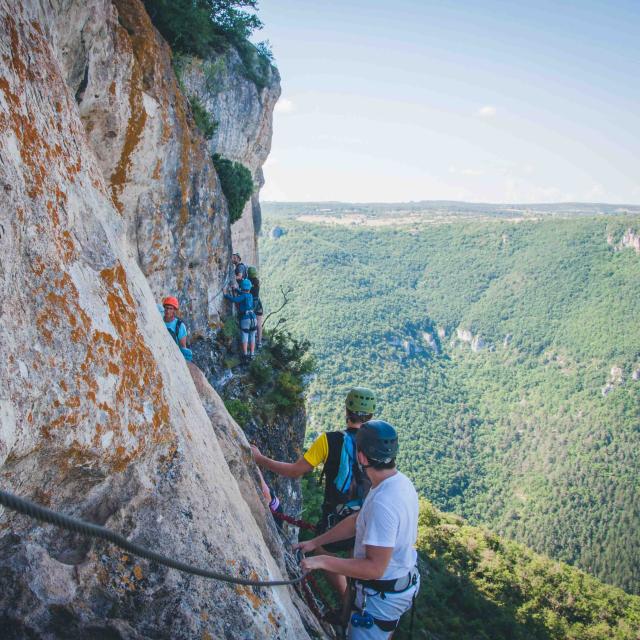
[38,512]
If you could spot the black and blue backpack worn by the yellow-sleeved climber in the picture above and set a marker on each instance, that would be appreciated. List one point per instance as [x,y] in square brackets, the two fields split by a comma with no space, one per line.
[346,486]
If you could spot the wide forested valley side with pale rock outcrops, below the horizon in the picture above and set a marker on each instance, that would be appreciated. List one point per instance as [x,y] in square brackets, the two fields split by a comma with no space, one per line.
[537,433]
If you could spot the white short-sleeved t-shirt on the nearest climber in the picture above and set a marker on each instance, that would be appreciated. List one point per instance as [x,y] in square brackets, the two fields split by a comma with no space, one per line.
[389,518]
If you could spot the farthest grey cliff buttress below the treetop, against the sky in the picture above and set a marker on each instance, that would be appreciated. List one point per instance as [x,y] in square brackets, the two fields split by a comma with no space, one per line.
[244,113]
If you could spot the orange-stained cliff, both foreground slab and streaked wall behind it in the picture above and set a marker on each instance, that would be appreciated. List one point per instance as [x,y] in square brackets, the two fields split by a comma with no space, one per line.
[108,200]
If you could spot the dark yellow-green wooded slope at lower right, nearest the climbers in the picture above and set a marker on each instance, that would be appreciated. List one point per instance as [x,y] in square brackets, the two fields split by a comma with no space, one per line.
[477,586]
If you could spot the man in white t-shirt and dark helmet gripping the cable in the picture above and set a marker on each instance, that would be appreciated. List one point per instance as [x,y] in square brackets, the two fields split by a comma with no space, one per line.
[384,559]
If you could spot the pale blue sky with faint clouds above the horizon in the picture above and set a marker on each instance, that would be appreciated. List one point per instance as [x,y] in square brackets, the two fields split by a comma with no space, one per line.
[474,100]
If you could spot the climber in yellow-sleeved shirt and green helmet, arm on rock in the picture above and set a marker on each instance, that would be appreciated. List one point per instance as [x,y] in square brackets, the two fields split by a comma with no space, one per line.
[345,485]
